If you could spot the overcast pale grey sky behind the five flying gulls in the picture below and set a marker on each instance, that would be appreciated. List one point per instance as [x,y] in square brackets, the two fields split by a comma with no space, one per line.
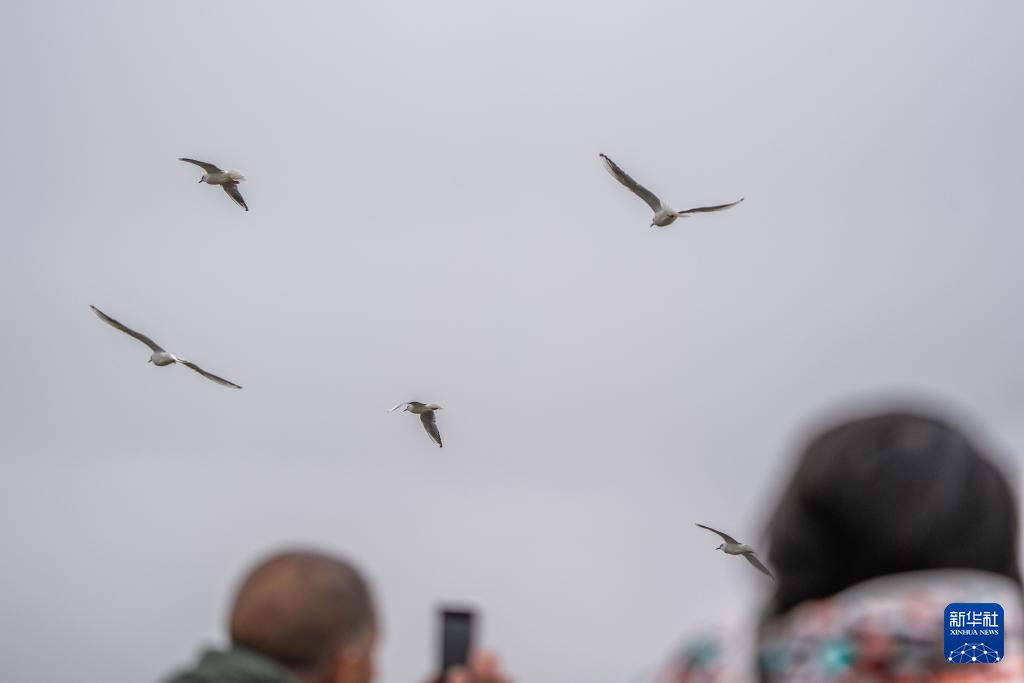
[431,221]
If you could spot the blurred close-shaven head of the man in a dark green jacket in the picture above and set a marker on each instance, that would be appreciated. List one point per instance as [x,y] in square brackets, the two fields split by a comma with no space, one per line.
[310,613]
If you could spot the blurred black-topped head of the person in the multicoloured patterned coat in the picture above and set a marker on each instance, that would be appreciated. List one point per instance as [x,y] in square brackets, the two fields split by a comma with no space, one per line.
[884,495]
